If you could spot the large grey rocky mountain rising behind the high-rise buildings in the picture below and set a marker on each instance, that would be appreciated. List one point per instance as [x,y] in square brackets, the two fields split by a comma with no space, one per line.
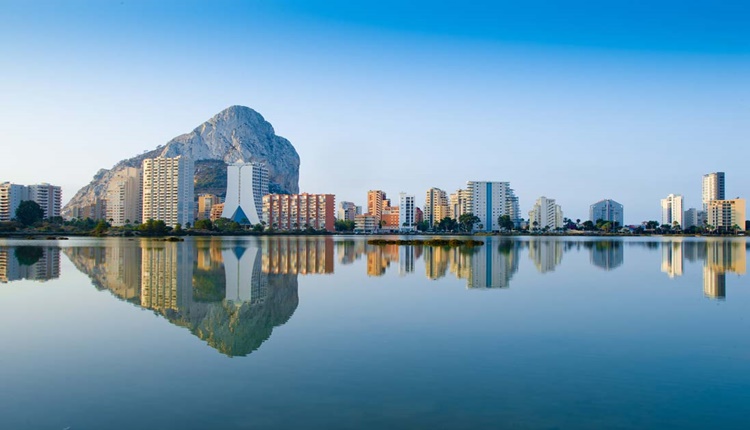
[237,133]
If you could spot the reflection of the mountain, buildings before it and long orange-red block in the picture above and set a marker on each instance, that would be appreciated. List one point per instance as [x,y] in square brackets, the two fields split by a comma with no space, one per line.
[232,294]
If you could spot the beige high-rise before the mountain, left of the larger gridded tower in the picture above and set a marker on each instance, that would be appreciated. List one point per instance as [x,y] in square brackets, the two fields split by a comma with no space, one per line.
[124,199]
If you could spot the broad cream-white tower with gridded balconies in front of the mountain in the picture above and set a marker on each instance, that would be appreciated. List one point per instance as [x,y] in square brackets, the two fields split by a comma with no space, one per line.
[168,190]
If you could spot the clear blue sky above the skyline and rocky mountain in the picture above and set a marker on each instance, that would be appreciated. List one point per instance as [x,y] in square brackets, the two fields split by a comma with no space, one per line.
[575,100]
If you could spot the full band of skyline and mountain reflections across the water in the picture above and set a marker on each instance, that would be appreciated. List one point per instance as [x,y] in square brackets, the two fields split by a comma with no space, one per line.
[232,293]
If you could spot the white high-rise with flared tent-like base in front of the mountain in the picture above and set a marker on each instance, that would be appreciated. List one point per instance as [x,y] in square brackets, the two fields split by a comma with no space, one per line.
[247,183]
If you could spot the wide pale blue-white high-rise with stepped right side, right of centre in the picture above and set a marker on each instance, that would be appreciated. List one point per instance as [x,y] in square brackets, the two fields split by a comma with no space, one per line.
[490,200]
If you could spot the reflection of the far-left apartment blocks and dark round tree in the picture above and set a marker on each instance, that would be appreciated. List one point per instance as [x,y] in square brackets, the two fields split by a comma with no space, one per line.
[35,263]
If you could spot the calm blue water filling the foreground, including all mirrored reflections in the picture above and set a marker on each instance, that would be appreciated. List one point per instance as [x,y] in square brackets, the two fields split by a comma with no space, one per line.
[333,333]
